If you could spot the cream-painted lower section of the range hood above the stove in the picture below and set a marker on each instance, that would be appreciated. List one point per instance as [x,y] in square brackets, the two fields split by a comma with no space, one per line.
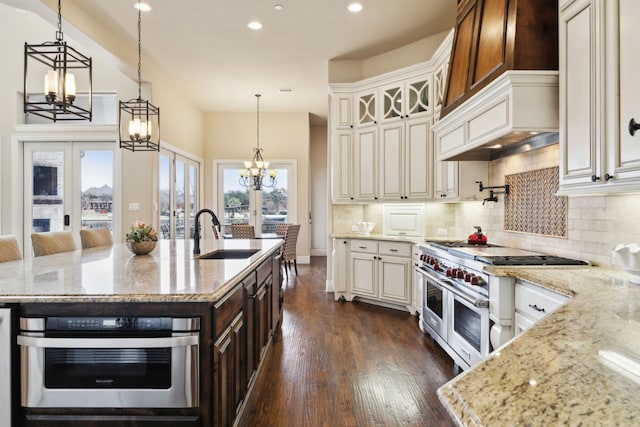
[516,112]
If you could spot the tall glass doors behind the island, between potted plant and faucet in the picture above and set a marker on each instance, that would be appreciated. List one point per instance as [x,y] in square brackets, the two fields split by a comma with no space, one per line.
[178,199]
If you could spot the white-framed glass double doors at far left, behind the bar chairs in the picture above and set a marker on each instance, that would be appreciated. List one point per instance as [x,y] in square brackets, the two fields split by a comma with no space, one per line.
[67,186]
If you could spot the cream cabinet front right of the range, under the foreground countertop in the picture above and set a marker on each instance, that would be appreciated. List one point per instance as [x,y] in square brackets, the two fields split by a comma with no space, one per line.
[532,303]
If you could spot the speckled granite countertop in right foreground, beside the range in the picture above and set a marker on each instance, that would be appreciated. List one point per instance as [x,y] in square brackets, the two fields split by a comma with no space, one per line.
[559,372]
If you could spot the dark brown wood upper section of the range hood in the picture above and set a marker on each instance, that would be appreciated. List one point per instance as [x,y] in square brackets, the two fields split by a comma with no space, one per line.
[493,36]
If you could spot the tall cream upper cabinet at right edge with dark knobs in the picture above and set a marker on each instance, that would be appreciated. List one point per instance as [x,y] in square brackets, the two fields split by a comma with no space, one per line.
[599,97]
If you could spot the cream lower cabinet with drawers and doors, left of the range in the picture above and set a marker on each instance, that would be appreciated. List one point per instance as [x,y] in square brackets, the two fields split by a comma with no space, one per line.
[378,271]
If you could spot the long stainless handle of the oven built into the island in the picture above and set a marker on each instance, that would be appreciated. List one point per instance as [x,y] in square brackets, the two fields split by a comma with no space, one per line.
[160,342]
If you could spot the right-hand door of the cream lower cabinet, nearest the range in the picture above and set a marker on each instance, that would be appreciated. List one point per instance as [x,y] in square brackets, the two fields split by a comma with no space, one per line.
[394,276]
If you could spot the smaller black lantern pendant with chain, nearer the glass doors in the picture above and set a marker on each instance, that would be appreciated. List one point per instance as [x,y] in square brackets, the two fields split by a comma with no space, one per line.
[139,120]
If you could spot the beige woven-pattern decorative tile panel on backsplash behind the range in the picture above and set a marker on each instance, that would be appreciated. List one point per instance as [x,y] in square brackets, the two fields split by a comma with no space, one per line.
[532,205]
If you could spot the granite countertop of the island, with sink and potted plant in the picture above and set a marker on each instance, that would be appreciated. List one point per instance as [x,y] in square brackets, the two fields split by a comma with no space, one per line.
[114,274]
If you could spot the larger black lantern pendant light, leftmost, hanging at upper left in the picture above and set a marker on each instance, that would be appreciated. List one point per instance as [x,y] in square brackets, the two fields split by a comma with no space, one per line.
[59,59]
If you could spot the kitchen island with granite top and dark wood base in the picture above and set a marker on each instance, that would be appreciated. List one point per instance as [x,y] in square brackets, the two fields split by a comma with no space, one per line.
[236,302]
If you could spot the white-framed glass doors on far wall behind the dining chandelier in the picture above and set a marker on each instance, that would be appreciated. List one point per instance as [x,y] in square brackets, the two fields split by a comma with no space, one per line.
[263,209]
